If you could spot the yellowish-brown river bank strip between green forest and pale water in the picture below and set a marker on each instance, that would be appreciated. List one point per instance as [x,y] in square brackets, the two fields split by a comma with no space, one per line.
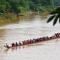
[10,18]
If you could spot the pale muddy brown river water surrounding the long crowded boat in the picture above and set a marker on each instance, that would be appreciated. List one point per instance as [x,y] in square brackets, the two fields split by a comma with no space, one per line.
[26,29]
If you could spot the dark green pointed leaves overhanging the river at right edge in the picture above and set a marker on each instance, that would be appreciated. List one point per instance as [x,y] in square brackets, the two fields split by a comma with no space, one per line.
[55,16]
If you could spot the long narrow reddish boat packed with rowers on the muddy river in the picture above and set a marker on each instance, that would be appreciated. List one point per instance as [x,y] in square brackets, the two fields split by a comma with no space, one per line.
[31,41]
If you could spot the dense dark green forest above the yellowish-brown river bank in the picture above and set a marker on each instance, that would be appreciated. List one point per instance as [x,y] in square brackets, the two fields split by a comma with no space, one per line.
[21,6]
